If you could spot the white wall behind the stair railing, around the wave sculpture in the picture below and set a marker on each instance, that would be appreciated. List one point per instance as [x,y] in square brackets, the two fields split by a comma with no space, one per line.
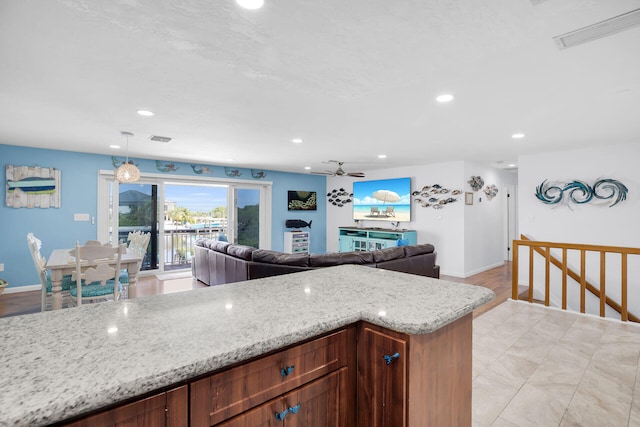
[589,223]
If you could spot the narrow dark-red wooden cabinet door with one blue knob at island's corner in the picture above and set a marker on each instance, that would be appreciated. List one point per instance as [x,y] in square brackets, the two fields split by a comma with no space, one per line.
[382,386]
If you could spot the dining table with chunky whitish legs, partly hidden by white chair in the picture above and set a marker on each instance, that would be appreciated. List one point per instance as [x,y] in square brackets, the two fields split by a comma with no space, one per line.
[61,263]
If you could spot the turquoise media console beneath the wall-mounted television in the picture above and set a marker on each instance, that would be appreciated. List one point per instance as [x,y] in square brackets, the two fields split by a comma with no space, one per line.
[372,239]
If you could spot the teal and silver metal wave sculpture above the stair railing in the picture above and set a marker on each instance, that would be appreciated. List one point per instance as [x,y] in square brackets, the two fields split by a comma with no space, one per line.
[580,192]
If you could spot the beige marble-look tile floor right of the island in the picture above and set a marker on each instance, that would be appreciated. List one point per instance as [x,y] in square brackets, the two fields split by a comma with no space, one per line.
[535,366]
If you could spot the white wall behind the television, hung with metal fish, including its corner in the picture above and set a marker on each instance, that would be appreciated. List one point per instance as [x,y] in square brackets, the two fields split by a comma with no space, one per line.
[459,254]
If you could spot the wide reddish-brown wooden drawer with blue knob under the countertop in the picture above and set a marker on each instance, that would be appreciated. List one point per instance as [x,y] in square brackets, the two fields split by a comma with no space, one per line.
[226,394]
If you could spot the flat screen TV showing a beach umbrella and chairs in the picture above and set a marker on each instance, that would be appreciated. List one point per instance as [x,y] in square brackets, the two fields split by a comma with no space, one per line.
[382,200]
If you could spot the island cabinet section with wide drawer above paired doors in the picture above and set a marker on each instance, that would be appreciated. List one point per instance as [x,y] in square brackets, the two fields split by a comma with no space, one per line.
[266,385]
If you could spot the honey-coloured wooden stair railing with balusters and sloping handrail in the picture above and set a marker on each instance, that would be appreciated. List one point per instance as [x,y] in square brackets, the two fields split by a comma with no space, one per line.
[544,249]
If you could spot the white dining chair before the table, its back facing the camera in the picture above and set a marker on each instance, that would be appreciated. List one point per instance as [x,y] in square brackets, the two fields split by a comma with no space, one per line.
[97,273]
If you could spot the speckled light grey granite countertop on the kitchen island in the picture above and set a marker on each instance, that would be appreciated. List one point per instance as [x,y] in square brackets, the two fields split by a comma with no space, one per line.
[59,364]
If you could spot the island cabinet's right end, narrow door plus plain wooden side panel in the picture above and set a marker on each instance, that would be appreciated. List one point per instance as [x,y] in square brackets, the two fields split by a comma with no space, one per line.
[428,383]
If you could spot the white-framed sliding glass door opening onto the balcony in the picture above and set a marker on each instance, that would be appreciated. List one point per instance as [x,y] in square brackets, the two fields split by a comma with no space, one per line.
[179,211]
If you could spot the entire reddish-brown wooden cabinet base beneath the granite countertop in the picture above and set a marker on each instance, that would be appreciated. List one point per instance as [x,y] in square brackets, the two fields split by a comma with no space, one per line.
[363,375]
